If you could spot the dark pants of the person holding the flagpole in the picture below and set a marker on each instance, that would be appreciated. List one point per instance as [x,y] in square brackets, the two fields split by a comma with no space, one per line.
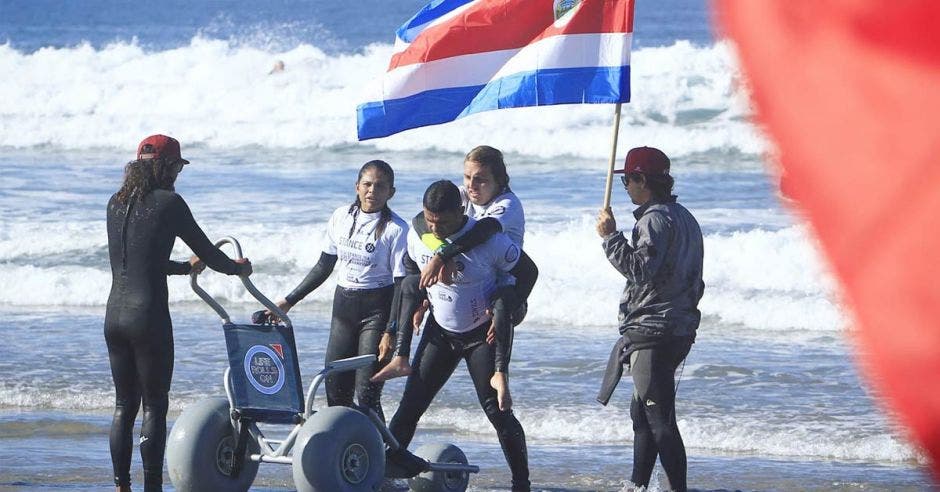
[653,410]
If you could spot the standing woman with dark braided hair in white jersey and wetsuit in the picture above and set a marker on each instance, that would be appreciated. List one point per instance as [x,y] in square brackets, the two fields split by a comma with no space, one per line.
[368,241]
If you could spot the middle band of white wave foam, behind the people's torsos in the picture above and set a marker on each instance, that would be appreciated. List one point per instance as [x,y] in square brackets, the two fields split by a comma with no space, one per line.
[759,279]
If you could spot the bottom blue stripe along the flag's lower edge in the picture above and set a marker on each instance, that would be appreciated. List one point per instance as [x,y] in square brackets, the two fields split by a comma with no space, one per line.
[536,88]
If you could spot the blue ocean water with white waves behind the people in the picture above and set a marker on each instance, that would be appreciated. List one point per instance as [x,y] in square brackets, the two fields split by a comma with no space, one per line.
[769,399]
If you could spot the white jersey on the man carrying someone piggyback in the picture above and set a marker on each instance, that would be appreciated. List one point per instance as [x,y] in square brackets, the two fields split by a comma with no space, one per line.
[461,306]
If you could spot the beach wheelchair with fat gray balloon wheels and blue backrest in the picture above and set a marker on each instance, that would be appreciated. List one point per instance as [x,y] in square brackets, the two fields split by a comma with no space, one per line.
[216,444]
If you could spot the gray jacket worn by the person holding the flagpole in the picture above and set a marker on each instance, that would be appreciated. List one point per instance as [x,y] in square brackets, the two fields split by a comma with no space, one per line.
[663,268]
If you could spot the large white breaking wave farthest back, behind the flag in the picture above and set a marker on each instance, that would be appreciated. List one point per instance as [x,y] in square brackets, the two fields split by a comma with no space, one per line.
[218,94]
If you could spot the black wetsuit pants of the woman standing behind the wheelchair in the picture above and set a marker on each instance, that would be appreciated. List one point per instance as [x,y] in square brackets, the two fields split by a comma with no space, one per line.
[359,320]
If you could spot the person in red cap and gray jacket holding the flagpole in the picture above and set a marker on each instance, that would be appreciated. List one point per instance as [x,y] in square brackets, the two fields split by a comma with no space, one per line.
[658,309]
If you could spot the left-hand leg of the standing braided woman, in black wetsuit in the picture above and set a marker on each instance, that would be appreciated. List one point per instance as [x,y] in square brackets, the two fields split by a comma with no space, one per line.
[343,343]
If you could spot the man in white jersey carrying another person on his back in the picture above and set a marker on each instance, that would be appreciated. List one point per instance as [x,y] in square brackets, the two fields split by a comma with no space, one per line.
[458,324]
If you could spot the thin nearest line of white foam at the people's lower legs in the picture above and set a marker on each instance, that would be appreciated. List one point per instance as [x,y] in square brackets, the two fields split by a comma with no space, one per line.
[737,434]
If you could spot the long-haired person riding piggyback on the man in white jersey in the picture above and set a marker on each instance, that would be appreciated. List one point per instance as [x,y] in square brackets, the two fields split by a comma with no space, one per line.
[486,197]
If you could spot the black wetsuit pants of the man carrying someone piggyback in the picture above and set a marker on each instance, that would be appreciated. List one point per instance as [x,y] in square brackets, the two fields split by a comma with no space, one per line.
[438,354]
